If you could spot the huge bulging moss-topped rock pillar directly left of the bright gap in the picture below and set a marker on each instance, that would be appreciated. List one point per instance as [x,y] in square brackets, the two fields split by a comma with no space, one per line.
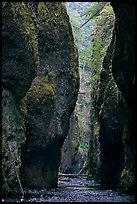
[51,98]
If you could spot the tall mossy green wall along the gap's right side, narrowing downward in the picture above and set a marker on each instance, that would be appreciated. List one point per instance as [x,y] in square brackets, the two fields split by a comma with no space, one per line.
[101,37]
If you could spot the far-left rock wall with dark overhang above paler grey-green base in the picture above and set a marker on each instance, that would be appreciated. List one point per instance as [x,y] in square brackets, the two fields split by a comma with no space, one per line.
[18,70]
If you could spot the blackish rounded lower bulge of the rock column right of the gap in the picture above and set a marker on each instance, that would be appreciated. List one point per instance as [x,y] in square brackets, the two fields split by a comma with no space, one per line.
[110,137]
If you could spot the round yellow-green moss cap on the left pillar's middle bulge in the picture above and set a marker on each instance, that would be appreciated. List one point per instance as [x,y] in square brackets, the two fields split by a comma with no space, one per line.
[41,90]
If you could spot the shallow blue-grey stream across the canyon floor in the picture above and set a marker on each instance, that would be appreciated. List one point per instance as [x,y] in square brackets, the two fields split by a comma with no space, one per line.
[72,190]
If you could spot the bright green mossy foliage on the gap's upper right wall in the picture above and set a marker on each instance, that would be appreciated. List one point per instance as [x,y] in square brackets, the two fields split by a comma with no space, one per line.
[102,32]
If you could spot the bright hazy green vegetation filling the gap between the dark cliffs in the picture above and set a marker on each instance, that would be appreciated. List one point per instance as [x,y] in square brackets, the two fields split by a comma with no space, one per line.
[92,41]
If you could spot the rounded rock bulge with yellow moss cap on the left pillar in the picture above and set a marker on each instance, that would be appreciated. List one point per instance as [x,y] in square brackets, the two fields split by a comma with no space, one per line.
[40,101]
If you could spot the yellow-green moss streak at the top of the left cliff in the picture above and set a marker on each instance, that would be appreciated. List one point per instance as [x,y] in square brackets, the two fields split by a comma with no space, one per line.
[26,20]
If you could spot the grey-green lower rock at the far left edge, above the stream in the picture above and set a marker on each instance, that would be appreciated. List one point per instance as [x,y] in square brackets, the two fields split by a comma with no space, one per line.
[13,137]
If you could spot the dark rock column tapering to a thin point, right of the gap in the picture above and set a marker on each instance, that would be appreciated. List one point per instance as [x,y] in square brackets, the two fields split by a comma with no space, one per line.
[111,108]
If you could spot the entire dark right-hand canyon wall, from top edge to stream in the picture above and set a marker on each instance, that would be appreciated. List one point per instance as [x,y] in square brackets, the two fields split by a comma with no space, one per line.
[115,165]
